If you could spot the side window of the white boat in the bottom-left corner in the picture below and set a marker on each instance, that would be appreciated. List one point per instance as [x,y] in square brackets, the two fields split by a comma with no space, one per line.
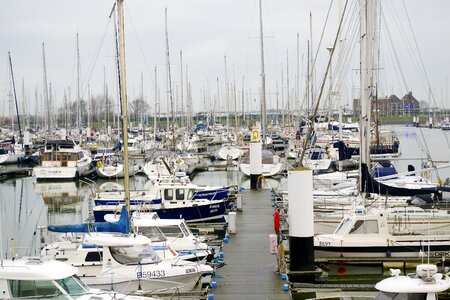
[33,288]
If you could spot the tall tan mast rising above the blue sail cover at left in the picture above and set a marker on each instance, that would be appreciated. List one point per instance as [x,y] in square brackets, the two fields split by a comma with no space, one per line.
[123,96]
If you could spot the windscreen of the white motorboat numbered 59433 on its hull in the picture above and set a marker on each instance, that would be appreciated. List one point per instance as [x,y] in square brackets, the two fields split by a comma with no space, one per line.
[136,254]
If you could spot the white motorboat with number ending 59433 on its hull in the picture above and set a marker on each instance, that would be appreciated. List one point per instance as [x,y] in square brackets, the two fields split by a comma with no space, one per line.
[126,263]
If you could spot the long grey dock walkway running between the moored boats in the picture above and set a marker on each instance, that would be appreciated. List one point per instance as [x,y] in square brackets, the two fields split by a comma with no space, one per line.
[249,271]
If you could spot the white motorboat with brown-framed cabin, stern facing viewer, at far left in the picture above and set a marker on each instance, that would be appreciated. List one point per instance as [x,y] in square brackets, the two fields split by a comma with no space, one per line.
[63,160]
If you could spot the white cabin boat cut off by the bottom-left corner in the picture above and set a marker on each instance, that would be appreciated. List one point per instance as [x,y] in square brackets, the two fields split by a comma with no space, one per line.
[29,278]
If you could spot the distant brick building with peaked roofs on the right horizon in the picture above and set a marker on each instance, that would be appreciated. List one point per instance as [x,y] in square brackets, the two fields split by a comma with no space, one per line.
[392,105]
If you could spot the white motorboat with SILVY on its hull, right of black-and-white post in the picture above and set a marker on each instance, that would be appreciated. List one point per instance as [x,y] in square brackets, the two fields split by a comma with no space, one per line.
[368,235]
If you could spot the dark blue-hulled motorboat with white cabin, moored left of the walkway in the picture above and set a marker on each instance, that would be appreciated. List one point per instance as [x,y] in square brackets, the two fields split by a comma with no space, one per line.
[171,199]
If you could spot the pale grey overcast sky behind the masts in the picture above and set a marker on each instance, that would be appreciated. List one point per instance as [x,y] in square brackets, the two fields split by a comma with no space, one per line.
[206,31]
